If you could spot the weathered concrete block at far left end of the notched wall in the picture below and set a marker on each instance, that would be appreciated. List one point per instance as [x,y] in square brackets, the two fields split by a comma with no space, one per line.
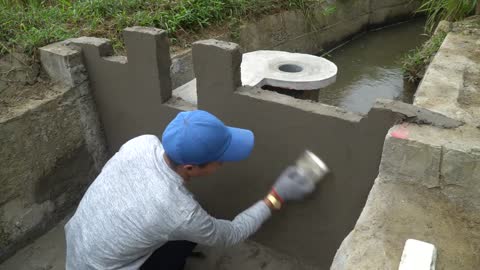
[63,64]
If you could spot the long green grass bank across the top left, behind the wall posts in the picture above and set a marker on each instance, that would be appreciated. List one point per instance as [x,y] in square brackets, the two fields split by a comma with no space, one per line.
[26,25]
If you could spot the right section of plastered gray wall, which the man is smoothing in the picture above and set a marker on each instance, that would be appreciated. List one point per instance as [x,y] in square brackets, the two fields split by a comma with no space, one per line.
[350,144]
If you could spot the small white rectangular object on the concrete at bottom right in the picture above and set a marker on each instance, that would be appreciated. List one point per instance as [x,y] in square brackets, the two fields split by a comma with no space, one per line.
[418,255]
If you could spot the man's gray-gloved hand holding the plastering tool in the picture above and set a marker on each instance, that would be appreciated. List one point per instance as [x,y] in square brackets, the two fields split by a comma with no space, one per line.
[291,185]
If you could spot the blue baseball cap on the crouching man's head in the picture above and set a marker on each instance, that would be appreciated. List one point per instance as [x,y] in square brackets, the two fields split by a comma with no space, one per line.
[198,137]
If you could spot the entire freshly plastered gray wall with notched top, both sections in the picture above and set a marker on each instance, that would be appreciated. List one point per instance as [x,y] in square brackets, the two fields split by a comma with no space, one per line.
[133,97]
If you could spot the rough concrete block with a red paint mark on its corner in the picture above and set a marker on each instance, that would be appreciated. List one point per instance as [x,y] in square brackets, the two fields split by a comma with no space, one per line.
[410,161]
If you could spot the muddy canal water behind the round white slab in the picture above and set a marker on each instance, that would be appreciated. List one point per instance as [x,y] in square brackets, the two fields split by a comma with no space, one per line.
[369,67]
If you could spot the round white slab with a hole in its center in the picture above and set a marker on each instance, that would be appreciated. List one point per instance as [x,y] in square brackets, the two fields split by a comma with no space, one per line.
[287,70]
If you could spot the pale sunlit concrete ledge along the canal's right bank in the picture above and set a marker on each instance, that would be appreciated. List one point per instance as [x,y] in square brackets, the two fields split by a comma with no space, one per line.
[451,84]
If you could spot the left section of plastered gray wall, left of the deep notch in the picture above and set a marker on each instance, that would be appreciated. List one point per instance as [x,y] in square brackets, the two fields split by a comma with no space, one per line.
[129,91]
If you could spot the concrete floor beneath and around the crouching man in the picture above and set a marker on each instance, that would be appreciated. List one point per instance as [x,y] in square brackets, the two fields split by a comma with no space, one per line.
[48,253]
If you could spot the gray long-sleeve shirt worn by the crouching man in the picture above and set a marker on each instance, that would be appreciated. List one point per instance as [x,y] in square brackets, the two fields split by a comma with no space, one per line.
[136,205]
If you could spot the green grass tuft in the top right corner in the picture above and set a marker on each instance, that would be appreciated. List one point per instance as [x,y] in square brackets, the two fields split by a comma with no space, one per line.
[450,10]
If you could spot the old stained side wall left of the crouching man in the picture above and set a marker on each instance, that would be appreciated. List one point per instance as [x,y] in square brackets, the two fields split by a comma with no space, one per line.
[50,149]
